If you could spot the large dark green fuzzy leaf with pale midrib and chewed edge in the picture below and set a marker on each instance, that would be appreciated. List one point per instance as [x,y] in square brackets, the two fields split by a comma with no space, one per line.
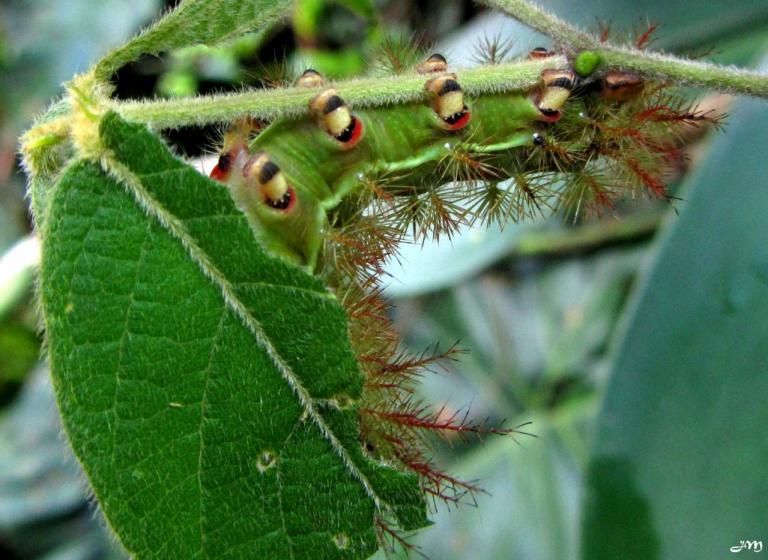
[207,387]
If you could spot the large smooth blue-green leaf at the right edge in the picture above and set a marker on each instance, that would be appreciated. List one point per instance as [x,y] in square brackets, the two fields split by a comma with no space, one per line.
[678,467]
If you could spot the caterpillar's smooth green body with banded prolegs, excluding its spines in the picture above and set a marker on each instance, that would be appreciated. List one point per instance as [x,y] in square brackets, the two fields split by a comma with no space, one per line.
[296,173]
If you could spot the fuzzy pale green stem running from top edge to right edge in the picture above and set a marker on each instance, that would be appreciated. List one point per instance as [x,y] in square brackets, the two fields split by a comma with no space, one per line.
[653,66]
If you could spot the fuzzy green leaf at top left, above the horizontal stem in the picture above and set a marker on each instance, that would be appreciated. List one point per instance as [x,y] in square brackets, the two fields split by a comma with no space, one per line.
[197,21]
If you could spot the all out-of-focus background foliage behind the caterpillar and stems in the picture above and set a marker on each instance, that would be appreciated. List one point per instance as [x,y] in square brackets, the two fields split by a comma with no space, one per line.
[637,344]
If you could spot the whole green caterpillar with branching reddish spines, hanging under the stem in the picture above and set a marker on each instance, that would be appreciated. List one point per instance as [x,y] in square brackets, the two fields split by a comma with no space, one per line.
[338,190]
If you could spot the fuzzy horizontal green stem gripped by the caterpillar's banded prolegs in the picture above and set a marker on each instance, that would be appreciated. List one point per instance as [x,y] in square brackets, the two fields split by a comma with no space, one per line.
[292,102]
